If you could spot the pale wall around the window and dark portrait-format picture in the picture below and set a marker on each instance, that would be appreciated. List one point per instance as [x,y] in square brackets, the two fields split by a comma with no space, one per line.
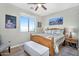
[14,35]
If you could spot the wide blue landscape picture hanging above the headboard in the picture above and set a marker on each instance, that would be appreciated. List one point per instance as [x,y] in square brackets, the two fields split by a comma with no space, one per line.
[56,21]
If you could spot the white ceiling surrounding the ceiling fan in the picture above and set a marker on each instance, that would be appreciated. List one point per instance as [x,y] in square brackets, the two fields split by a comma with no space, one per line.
[51,7]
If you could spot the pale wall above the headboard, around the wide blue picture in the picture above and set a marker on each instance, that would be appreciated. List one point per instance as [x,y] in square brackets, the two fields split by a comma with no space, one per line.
[70,17]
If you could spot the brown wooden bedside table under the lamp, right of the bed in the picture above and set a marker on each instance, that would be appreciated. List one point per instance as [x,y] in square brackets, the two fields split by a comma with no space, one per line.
[71,41]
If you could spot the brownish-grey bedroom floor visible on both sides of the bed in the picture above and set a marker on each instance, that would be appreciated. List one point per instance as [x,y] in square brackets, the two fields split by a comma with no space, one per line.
[19,51]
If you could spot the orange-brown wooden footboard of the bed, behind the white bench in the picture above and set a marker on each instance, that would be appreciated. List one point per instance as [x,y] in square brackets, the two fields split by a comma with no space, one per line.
[44,41]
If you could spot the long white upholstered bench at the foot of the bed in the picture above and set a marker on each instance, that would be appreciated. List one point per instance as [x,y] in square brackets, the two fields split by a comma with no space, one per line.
[35,49]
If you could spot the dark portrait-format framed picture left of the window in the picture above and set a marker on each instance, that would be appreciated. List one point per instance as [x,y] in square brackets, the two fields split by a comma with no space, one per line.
[10,21]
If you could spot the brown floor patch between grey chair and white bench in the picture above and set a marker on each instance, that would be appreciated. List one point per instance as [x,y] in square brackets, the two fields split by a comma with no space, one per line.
[18,51]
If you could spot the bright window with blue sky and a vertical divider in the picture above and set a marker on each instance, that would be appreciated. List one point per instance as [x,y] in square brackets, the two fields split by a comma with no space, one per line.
[27,24]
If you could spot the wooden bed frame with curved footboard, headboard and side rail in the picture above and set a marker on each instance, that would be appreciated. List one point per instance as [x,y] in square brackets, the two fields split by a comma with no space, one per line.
[47,42]
